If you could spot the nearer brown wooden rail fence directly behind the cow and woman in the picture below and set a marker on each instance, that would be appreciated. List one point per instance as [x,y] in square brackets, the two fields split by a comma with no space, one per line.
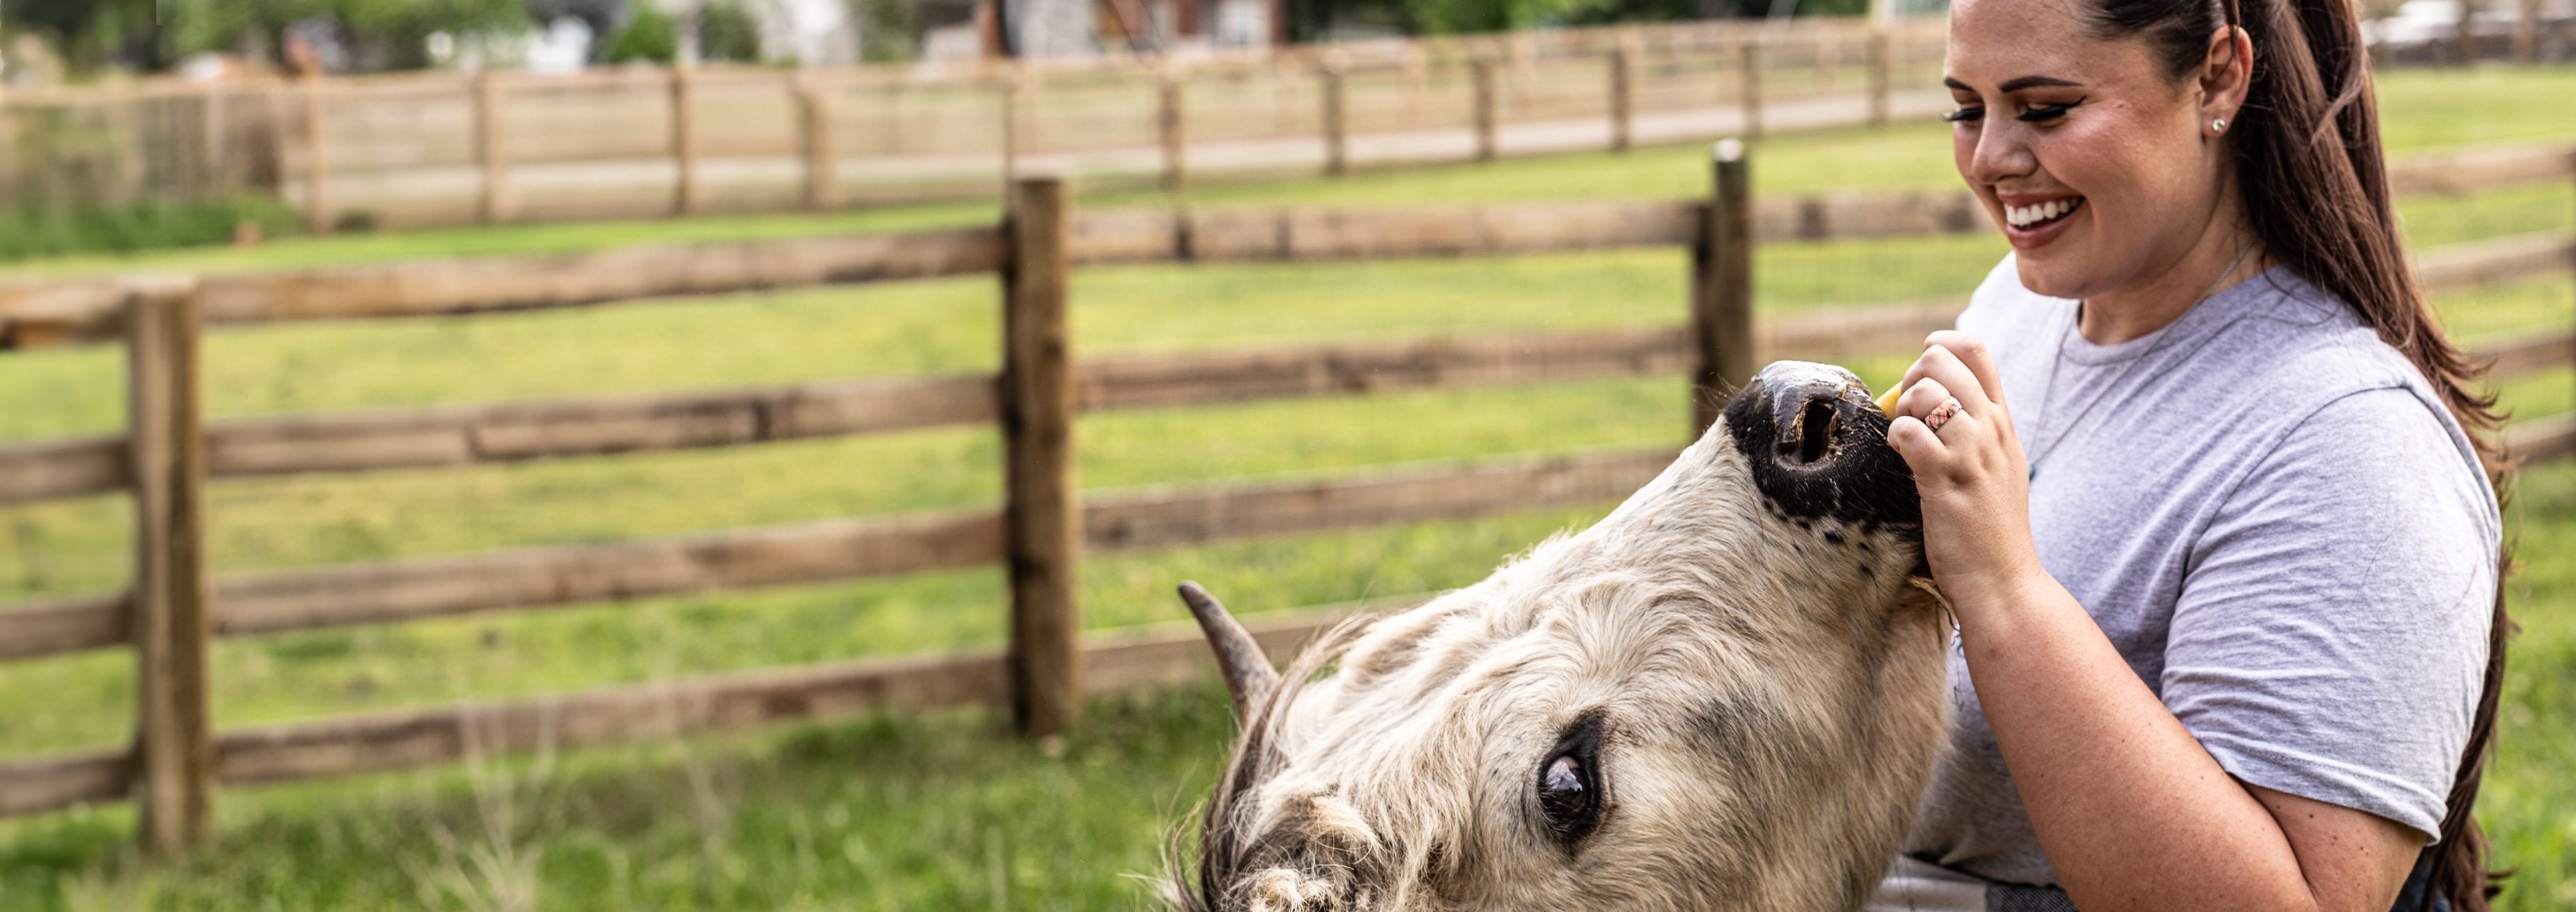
[171,455]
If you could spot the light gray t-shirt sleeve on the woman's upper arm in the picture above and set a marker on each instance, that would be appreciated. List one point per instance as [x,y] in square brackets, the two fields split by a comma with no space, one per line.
[2333,625]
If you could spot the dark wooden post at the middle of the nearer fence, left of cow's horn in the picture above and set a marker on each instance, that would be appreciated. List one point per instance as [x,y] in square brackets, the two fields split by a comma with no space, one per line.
[1042,514]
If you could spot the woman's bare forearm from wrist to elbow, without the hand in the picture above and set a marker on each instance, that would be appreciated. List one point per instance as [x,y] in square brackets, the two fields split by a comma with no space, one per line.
[2126,803]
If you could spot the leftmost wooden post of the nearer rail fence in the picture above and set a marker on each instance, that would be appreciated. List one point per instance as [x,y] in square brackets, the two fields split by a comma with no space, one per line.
[174,733]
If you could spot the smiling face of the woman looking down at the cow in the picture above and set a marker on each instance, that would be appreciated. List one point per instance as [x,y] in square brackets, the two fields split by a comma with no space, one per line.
[2098,166]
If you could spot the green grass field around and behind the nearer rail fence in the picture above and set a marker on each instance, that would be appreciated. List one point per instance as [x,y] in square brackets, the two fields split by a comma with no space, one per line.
[936,813]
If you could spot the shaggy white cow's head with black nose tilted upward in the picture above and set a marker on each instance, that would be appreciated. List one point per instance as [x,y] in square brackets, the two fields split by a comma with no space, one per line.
[1722,697]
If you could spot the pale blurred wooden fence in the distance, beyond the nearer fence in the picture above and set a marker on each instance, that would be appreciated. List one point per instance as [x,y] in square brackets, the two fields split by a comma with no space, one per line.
[452,148]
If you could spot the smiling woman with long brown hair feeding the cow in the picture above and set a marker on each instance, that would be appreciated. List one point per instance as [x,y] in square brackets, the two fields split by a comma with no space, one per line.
[2201,480]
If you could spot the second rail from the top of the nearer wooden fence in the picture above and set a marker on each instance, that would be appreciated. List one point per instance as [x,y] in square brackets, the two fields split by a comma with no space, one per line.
[452,437]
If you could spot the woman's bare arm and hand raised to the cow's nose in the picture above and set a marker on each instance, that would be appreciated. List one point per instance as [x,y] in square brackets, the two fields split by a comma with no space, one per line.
[2126,803]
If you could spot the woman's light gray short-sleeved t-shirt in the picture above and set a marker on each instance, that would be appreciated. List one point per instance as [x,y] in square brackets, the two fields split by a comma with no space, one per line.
[2281,529]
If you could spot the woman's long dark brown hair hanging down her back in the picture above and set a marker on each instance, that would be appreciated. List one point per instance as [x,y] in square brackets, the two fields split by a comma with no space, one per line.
[2309,143]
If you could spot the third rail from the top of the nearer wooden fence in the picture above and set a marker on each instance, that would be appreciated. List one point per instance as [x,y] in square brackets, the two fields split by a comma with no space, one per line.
[833,550]
